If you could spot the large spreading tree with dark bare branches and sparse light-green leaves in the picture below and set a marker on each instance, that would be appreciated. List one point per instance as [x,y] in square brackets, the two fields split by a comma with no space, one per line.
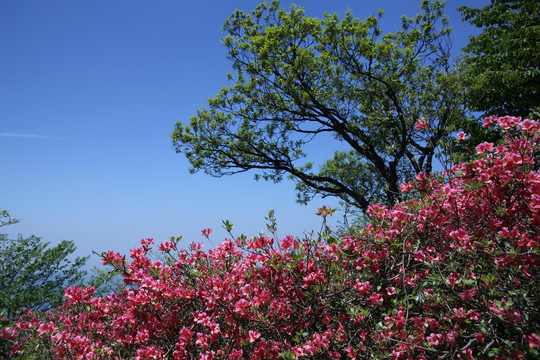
[386,100]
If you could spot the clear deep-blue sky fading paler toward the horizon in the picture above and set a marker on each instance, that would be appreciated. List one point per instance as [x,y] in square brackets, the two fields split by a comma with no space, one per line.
[89,94]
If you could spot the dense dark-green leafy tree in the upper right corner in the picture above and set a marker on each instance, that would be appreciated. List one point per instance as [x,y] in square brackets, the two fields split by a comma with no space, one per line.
[502,63]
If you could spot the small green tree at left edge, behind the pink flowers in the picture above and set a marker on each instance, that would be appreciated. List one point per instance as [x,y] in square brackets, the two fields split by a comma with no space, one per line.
[33,274]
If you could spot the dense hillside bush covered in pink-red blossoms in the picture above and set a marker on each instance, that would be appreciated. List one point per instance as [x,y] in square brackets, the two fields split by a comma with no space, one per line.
[452,273]
